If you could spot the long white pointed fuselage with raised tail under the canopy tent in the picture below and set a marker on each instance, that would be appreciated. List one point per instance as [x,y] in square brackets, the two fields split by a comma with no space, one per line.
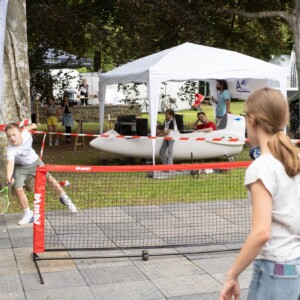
[188,145]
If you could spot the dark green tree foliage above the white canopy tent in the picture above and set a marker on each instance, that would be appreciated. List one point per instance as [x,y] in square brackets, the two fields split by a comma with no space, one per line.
[115,32]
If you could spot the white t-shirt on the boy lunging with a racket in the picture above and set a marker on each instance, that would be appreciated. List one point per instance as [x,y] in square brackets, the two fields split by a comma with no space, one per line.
[22,154]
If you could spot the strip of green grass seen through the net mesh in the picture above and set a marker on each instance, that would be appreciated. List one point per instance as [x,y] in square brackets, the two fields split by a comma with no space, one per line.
[135,188]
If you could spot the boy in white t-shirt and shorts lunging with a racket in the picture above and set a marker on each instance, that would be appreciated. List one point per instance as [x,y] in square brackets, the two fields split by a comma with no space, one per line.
[22,162]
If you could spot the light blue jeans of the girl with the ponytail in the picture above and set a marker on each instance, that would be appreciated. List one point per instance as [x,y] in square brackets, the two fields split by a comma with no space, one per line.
[265,285]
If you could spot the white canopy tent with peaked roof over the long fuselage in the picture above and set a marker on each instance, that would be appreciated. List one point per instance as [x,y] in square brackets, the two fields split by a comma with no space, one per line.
[188,62]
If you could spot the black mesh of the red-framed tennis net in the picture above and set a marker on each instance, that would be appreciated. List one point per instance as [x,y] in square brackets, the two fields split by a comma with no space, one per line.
[117,210]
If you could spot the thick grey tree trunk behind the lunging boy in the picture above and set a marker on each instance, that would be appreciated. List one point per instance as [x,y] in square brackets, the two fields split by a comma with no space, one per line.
[15,100]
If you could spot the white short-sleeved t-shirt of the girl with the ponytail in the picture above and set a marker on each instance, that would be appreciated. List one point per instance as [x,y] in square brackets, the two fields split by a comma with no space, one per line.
[284,242]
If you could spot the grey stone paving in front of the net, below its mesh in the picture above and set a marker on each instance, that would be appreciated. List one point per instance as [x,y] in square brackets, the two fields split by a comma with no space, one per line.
[184,277]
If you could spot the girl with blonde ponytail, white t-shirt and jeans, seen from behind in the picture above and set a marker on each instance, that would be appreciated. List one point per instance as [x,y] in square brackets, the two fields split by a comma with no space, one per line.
[273,182]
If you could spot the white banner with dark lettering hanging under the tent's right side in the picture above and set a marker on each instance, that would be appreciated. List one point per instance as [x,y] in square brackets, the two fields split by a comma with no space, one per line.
[241,88]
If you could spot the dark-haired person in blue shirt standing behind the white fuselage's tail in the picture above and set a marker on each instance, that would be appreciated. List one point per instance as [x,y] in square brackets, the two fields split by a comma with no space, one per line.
[223,101]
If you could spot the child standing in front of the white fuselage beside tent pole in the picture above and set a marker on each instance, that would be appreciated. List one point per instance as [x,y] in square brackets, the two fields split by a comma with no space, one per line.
[166,150]
